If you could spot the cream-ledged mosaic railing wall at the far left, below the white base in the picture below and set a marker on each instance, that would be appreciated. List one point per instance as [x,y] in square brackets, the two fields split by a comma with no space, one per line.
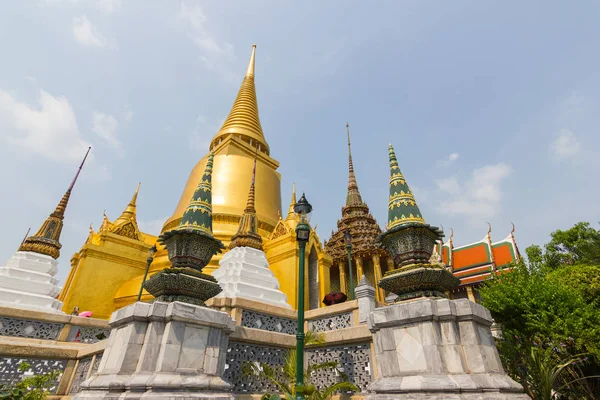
[49,342]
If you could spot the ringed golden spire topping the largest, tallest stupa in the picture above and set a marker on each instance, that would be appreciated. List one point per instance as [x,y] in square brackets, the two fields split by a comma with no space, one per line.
[243,120]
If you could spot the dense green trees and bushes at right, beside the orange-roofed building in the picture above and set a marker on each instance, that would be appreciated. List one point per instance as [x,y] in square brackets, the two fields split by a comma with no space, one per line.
[549,311]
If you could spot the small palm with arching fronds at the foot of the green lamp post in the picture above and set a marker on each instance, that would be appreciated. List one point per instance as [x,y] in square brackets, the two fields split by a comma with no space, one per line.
[284,377]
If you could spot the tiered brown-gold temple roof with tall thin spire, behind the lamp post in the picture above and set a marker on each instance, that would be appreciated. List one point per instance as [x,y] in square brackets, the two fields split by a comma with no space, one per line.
[357,218]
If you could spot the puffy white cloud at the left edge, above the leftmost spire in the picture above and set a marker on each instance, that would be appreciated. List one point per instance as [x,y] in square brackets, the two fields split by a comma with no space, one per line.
[49,130]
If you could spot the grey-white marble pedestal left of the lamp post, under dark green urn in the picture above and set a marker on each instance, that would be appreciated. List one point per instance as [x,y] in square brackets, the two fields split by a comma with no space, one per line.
[163,351]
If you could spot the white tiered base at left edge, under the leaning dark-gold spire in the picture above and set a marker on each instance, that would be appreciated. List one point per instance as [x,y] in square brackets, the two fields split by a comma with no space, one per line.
[27,281]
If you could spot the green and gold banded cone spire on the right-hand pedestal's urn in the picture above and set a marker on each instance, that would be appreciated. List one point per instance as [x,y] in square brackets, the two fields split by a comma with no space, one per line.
[402,207]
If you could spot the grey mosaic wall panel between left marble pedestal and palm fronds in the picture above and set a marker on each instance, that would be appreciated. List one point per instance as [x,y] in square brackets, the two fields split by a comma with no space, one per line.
[240,353]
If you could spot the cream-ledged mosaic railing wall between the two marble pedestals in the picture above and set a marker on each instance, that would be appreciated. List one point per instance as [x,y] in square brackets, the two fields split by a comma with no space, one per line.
[264,334]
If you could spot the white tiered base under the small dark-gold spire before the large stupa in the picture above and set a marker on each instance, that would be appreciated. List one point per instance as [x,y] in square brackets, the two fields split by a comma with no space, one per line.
[244,272]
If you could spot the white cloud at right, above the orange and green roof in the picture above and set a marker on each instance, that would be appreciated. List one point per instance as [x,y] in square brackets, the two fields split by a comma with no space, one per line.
[480,197]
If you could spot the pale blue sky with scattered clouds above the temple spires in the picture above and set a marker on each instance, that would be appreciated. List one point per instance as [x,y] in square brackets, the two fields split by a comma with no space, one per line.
[493,107]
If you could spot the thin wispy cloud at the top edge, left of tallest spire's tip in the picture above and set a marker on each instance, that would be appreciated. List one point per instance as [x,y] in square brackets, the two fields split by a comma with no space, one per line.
[215,53]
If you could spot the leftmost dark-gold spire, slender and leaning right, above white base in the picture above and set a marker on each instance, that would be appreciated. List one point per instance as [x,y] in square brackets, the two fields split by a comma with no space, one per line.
[46,240]
